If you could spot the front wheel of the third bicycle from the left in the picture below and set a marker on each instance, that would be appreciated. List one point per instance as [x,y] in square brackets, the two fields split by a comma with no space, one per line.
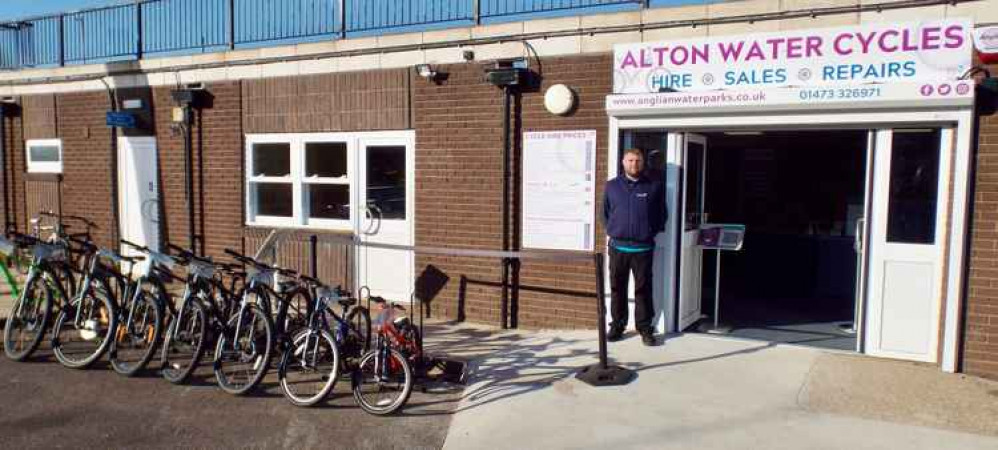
[135,342]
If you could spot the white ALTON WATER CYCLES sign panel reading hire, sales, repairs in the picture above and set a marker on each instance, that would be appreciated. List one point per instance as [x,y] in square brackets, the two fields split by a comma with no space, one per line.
[872,54]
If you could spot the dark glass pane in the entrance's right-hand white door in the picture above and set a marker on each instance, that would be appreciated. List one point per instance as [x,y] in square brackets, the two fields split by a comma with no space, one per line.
[911,213]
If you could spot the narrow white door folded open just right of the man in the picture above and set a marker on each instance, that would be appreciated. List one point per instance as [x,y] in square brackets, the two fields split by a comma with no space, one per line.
[694,171]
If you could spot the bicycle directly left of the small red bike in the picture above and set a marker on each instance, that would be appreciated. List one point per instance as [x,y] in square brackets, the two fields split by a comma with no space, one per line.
[310,366]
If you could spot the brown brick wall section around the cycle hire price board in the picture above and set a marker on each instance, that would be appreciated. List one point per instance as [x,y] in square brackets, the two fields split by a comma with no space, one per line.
[459,190]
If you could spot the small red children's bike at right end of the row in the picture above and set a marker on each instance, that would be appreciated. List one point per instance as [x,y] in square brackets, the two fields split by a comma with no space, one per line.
[383,379]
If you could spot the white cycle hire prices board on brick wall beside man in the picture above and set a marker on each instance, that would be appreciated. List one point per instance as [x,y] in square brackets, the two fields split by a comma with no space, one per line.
[559,190]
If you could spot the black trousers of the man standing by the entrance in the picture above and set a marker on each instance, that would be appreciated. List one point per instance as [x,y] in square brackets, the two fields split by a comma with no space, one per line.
[621,265]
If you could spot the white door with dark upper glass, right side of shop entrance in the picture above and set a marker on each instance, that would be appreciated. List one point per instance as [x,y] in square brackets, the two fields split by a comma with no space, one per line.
[908,225]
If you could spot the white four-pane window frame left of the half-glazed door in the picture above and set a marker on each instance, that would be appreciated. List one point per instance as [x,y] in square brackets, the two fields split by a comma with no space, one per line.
[300,213]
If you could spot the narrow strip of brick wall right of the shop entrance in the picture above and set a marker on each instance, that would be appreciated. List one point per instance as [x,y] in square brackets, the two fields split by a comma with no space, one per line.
[980,338]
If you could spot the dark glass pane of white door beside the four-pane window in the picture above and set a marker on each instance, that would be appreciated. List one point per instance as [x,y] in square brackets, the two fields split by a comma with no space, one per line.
[386,180]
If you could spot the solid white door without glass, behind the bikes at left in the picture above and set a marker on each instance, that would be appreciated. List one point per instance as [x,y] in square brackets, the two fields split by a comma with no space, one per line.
[138,192]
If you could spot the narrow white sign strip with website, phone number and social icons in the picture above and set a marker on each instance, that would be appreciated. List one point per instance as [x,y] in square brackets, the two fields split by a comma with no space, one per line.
[852,97]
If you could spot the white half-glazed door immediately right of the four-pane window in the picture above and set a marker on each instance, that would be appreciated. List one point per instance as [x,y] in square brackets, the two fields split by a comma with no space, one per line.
[386,208]
